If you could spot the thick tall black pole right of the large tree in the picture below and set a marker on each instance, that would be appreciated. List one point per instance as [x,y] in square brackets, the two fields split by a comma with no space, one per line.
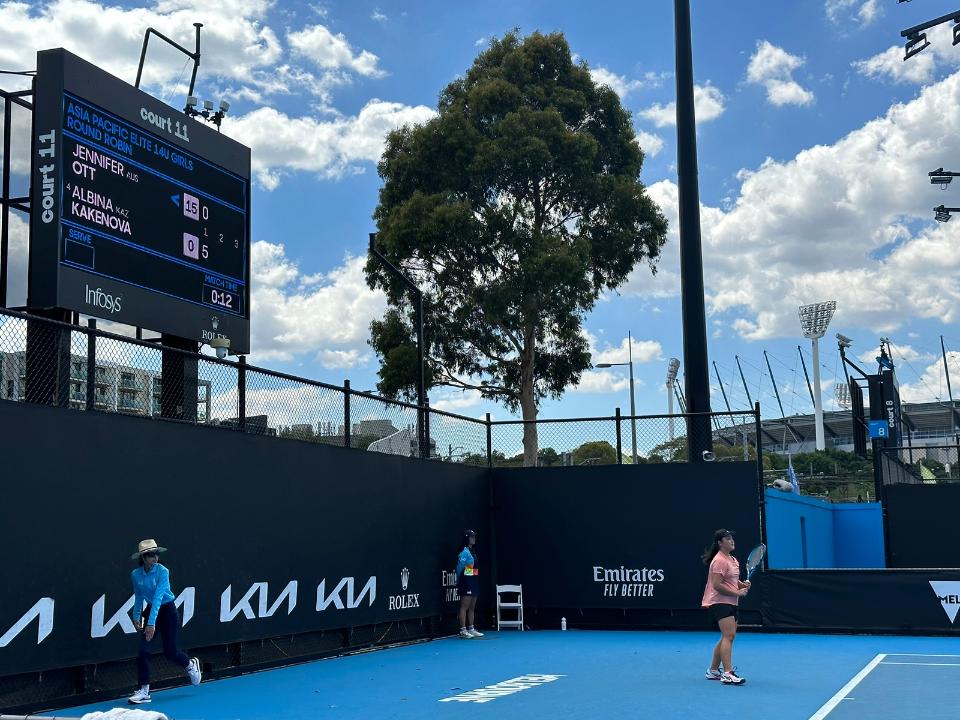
[696,370]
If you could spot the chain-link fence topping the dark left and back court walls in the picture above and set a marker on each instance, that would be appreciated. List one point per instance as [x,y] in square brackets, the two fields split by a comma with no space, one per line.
[76,366]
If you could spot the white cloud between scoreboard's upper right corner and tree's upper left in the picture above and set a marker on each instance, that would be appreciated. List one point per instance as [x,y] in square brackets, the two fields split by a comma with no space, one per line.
[282,144]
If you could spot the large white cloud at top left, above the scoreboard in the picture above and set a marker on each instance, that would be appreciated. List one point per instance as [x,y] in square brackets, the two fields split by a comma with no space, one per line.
[244,58]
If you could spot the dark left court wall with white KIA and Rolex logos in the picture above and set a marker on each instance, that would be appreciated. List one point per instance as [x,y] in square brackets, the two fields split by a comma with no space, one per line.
[283,553]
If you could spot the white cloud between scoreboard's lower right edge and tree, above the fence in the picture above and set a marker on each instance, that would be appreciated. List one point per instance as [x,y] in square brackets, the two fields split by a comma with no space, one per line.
[293,314]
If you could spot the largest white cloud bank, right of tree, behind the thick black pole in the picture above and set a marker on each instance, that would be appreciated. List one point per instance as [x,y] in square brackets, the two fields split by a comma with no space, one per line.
[819,227]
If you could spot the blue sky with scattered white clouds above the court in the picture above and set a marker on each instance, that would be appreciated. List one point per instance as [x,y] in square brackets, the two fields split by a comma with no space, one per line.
[814,143]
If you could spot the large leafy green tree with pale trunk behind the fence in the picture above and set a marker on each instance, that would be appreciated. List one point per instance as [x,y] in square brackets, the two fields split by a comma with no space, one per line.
[514,209]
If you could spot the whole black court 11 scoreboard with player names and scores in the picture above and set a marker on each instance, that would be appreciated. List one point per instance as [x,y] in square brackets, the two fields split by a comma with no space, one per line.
[141,215]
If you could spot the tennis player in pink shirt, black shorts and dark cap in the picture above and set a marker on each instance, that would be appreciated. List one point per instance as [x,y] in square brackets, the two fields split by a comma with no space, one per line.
[721,597]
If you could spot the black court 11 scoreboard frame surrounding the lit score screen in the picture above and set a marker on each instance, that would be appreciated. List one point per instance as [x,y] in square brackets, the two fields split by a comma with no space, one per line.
[54,283]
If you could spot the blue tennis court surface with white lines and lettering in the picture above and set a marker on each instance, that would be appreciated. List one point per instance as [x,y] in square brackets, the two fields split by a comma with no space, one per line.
[579,674]
